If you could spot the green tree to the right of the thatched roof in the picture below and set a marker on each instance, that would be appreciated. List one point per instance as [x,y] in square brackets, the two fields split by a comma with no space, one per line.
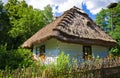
[104,18]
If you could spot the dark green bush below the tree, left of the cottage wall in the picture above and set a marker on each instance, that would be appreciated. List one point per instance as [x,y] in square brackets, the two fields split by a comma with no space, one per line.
[15,58]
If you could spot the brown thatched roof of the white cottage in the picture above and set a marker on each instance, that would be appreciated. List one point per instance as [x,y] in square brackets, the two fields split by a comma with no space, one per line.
[73,26]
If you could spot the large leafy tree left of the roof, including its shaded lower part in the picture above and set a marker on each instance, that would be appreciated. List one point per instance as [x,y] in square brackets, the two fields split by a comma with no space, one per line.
[25,21]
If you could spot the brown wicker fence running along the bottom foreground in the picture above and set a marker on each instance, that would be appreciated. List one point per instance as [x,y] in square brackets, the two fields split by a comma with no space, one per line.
[102,68]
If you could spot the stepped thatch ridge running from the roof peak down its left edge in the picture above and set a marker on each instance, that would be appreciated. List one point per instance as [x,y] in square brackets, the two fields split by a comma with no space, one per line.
[68,17]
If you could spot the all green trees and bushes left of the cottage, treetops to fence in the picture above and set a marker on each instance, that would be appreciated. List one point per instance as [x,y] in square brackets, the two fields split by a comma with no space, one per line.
[19,21]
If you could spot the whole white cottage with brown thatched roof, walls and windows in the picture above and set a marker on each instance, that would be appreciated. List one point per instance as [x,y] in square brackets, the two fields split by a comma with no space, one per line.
[74,33]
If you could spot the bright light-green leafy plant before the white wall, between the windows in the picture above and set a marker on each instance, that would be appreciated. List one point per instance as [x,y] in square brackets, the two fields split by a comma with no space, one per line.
[61,65]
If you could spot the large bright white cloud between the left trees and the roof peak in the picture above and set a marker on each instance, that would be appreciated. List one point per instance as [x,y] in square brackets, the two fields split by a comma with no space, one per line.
[62,5]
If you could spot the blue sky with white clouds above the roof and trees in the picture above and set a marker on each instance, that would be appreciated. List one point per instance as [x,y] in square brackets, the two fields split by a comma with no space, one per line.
[91,7]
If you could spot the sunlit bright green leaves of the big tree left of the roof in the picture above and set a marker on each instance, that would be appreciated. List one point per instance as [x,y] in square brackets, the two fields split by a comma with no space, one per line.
[26,20]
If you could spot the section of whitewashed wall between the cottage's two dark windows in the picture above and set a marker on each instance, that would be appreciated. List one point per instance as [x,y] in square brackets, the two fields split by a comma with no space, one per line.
[55,47]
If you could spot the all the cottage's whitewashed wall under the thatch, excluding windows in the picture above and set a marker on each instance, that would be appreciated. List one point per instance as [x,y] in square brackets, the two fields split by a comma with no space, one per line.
[55,47]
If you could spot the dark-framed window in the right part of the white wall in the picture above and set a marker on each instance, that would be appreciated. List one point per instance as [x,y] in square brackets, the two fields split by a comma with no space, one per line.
[87,52]
